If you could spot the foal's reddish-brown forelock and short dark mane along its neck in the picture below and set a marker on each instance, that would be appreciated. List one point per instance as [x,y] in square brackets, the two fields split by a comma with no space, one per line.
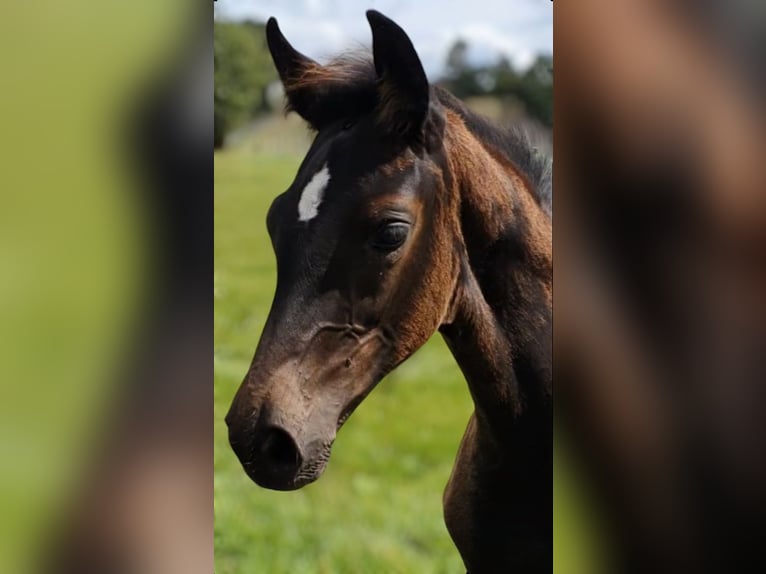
[349,85]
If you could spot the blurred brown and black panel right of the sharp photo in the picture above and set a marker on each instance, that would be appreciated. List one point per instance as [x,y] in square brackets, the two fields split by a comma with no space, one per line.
[660,286]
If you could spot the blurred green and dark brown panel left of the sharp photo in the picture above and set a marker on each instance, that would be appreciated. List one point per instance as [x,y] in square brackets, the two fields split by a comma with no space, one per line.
[106,282]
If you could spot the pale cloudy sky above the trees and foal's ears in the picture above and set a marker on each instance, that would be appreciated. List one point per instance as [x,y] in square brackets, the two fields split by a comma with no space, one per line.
[517,29]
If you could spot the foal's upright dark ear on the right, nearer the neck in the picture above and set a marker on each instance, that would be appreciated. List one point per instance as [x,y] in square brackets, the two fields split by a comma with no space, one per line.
[404,90]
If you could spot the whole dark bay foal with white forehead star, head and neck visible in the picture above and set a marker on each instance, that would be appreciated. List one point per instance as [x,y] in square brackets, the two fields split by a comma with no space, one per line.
[409,214]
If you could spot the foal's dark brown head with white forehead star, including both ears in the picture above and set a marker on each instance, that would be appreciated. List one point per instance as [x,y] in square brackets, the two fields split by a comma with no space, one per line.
[366,250]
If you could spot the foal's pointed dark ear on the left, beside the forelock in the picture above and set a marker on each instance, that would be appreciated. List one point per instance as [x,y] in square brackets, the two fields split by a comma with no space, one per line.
[293,68]
